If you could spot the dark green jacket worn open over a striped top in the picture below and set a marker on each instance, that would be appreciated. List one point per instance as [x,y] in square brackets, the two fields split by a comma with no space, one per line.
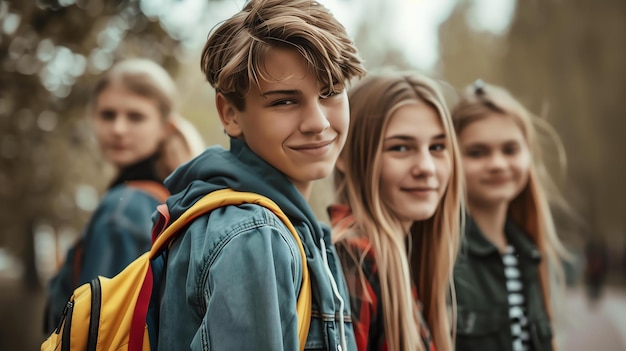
[483,311]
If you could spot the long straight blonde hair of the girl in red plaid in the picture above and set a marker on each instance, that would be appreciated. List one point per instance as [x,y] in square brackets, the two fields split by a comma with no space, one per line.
[433,242]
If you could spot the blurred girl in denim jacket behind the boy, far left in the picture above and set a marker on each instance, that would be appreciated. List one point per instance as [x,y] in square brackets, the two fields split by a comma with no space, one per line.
[133,117]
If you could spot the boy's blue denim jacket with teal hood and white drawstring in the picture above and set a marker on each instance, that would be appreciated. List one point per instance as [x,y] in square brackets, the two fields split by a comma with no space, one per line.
[233,278]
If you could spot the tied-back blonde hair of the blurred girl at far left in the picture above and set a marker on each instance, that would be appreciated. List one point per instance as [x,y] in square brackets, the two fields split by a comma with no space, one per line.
[148,79]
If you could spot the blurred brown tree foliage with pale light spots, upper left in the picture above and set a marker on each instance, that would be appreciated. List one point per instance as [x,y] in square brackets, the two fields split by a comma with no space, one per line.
[51,52]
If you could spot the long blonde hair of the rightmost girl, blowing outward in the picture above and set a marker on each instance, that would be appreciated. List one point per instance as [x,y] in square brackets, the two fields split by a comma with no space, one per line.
[530,210]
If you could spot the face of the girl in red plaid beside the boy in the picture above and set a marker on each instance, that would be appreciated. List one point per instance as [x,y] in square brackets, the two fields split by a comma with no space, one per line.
[416,163]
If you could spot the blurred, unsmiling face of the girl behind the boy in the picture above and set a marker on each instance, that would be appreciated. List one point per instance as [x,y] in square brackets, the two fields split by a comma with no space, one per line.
[129,127]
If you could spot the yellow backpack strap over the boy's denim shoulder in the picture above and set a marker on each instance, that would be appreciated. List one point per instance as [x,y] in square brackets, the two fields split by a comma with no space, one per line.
[226,197]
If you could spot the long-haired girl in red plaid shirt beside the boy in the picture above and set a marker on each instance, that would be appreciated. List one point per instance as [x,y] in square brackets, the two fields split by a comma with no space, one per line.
[396,223]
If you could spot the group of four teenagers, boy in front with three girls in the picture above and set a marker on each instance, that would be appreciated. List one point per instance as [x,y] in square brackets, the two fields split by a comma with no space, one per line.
[441,236]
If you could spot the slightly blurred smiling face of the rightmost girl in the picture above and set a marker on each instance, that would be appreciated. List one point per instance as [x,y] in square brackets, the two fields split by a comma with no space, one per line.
[496,160]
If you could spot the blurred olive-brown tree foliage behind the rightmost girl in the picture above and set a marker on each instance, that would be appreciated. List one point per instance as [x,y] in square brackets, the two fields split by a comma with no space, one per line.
[565,61]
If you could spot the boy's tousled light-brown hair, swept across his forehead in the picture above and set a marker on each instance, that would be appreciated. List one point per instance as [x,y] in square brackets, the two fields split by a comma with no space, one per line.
[234,55]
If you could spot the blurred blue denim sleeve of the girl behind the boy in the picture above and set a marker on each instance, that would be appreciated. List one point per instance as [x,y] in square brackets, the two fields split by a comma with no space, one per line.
[118,233]
